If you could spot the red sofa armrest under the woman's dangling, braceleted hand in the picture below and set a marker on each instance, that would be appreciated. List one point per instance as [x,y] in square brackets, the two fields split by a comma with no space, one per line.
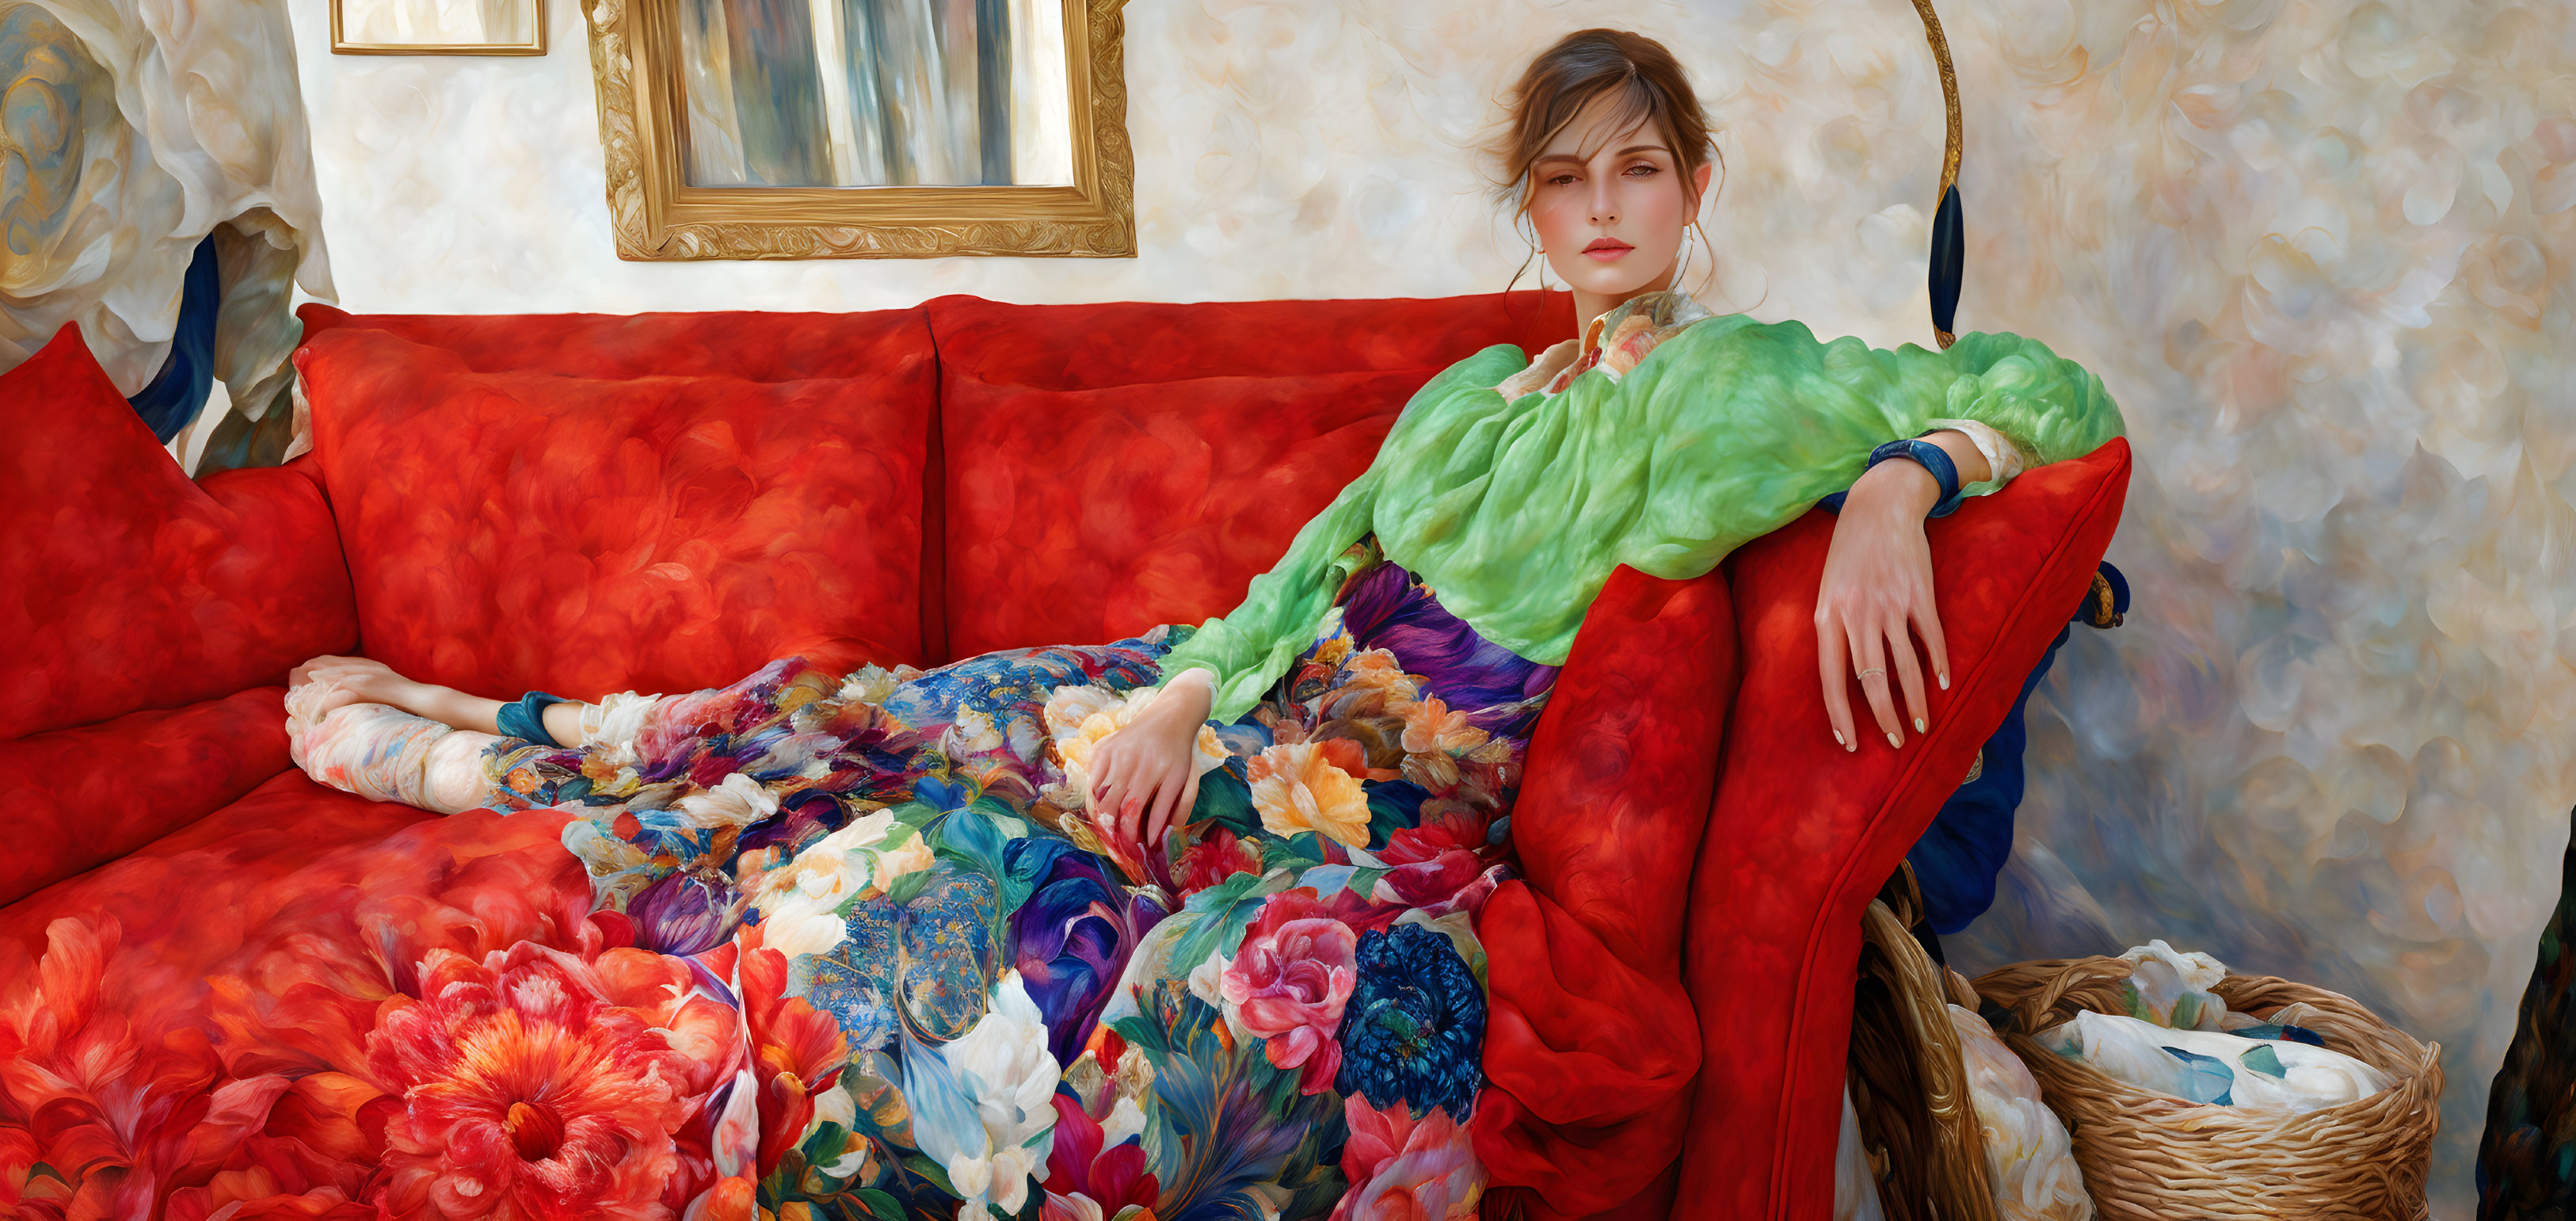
[1804,833]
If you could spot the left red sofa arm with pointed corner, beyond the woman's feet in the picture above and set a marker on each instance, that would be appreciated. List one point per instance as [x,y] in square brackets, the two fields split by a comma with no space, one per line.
[130,583]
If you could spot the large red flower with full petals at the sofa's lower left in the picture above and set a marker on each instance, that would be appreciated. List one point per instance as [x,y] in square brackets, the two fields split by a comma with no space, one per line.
[532,1093]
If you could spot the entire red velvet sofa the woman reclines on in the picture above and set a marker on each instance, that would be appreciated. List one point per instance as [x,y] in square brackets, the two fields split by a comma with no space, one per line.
[668,501]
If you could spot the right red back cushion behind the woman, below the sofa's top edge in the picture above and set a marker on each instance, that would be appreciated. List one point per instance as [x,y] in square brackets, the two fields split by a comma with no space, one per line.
[1088,516]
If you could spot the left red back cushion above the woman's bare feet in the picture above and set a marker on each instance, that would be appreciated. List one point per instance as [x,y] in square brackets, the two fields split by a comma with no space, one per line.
[516,532]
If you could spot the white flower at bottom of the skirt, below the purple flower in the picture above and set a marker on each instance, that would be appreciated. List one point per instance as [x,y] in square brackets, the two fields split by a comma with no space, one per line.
[1009,1078]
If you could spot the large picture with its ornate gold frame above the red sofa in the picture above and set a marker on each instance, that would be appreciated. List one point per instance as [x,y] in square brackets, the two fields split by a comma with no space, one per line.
[864,128]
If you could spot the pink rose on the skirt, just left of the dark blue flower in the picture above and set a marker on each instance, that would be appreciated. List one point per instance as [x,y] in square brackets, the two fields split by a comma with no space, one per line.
[1289,985]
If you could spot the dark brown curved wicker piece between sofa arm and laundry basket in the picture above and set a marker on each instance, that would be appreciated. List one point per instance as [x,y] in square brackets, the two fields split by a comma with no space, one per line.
[1910,1088]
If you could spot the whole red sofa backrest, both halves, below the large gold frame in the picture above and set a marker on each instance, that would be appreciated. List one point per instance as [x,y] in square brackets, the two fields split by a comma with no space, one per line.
[1075,473]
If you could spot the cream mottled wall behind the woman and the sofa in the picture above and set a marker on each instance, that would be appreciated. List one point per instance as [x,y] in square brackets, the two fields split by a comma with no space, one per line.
[2320,251]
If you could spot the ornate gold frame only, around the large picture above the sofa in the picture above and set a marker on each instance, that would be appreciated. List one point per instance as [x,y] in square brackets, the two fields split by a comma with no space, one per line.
[658,215]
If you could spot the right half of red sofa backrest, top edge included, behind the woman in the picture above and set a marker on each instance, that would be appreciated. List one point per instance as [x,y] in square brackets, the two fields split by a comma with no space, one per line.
[1127,465]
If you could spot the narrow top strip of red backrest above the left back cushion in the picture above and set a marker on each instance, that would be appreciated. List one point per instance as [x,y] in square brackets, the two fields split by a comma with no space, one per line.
[738,344]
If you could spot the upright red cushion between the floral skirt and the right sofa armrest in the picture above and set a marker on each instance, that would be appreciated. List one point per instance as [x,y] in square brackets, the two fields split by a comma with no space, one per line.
[1591,1042]
